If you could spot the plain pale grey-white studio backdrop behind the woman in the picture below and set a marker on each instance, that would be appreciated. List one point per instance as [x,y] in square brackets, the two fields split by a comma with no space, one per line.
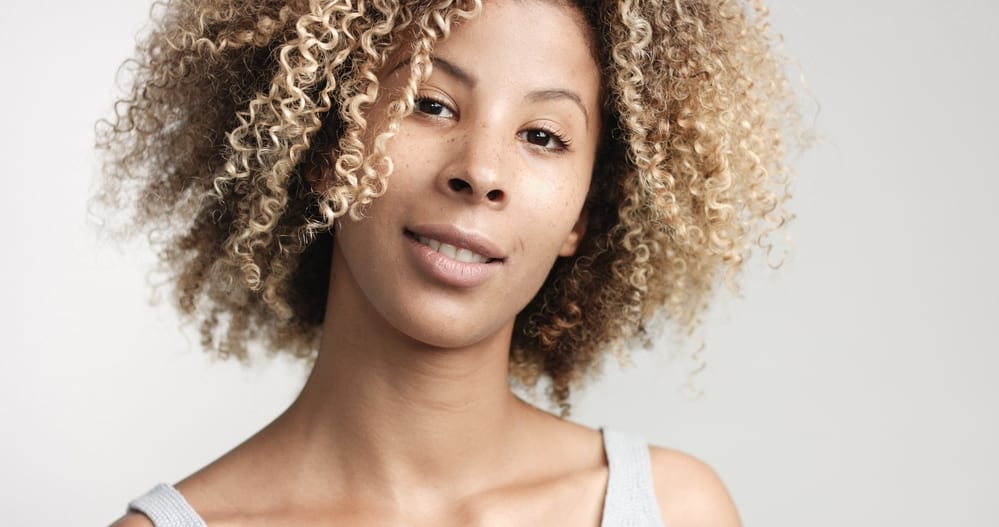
[855,386]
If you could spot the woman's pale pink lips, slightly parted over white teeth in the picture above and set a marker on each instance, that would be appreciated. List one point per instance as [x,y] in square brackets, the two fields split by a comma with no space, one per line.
[449,271]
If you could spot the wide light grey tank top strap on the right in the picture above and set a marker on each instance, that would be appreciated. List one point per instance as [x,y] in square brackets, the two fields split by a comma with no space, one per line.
[630,500]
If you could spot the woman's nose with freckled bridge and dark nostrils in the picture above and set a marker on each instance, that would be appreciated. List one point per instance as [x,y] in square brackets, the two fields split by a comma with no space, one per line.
[476,172]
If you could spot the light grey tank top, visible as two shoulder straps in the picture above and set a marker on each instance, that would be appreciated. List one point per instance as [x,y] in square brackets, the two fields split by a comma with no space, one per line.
[629,502]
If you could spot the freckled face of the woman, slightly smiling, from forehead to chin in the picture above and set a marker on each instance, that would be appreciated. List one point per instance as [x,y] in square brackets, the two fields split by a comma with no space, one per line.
[490,175]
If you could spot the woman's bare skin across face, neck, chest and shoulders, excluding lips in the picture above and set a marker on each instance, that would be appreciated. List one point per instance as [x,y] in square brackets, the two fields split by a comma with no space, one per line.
[407,417]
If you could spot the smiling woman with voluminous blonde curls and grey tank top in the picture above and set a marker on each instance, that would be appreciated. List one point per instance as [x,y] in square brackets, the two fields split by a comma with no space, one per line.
[430,199]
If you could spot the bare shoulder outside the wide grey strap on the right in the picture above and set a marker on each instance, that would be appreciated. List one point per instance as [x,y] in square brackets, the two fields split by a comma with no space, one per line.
[689,492]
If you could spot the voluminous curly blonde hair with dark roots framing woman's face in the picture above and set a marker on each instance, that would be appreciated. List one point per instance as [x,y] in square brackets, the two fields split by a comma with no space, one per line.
[232,104]
